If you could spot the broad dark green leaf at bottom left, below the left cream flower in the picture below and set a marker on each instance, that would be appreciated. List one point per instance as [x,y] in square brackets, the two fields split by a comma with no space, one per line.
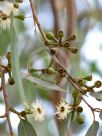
[25,129]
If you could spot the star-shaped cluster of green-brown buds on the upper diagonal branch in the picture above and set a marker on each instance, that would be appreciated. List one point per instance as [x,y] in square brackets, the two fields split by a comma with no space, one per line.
[55,43]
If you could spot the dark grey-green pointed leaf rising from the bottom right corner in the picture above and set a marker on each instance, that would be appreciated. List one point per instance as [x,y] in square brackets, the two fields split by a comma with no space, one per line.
[92,131]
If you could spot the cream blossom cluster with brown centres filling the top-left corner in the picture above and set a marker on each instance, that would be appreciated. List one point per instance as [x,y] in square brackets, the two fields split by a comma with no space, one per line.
[6,9]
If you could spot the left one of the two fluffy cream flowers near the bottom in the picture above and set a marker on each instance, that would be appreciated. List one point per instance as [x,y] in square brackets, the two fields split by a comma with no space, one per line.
[38,111]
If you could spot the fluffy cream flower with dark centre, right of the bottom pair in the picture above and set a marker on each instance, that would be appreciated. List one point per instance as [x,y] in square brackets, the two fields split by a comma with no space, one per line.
[63,109]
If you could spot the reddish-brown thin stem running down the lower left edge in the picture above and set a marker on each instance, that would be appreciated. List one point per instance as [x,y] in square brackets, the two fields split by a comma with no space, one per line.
[6,106]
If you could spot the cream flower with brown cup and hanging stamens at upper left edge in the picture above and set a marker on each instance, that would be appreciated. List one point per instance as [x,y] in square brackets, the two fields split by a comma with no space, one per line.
[5,22]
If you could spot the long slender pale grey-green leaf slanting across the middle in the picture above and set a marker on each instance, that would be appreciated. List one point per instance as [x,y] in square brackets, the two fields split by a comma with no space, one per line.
[43,83]
